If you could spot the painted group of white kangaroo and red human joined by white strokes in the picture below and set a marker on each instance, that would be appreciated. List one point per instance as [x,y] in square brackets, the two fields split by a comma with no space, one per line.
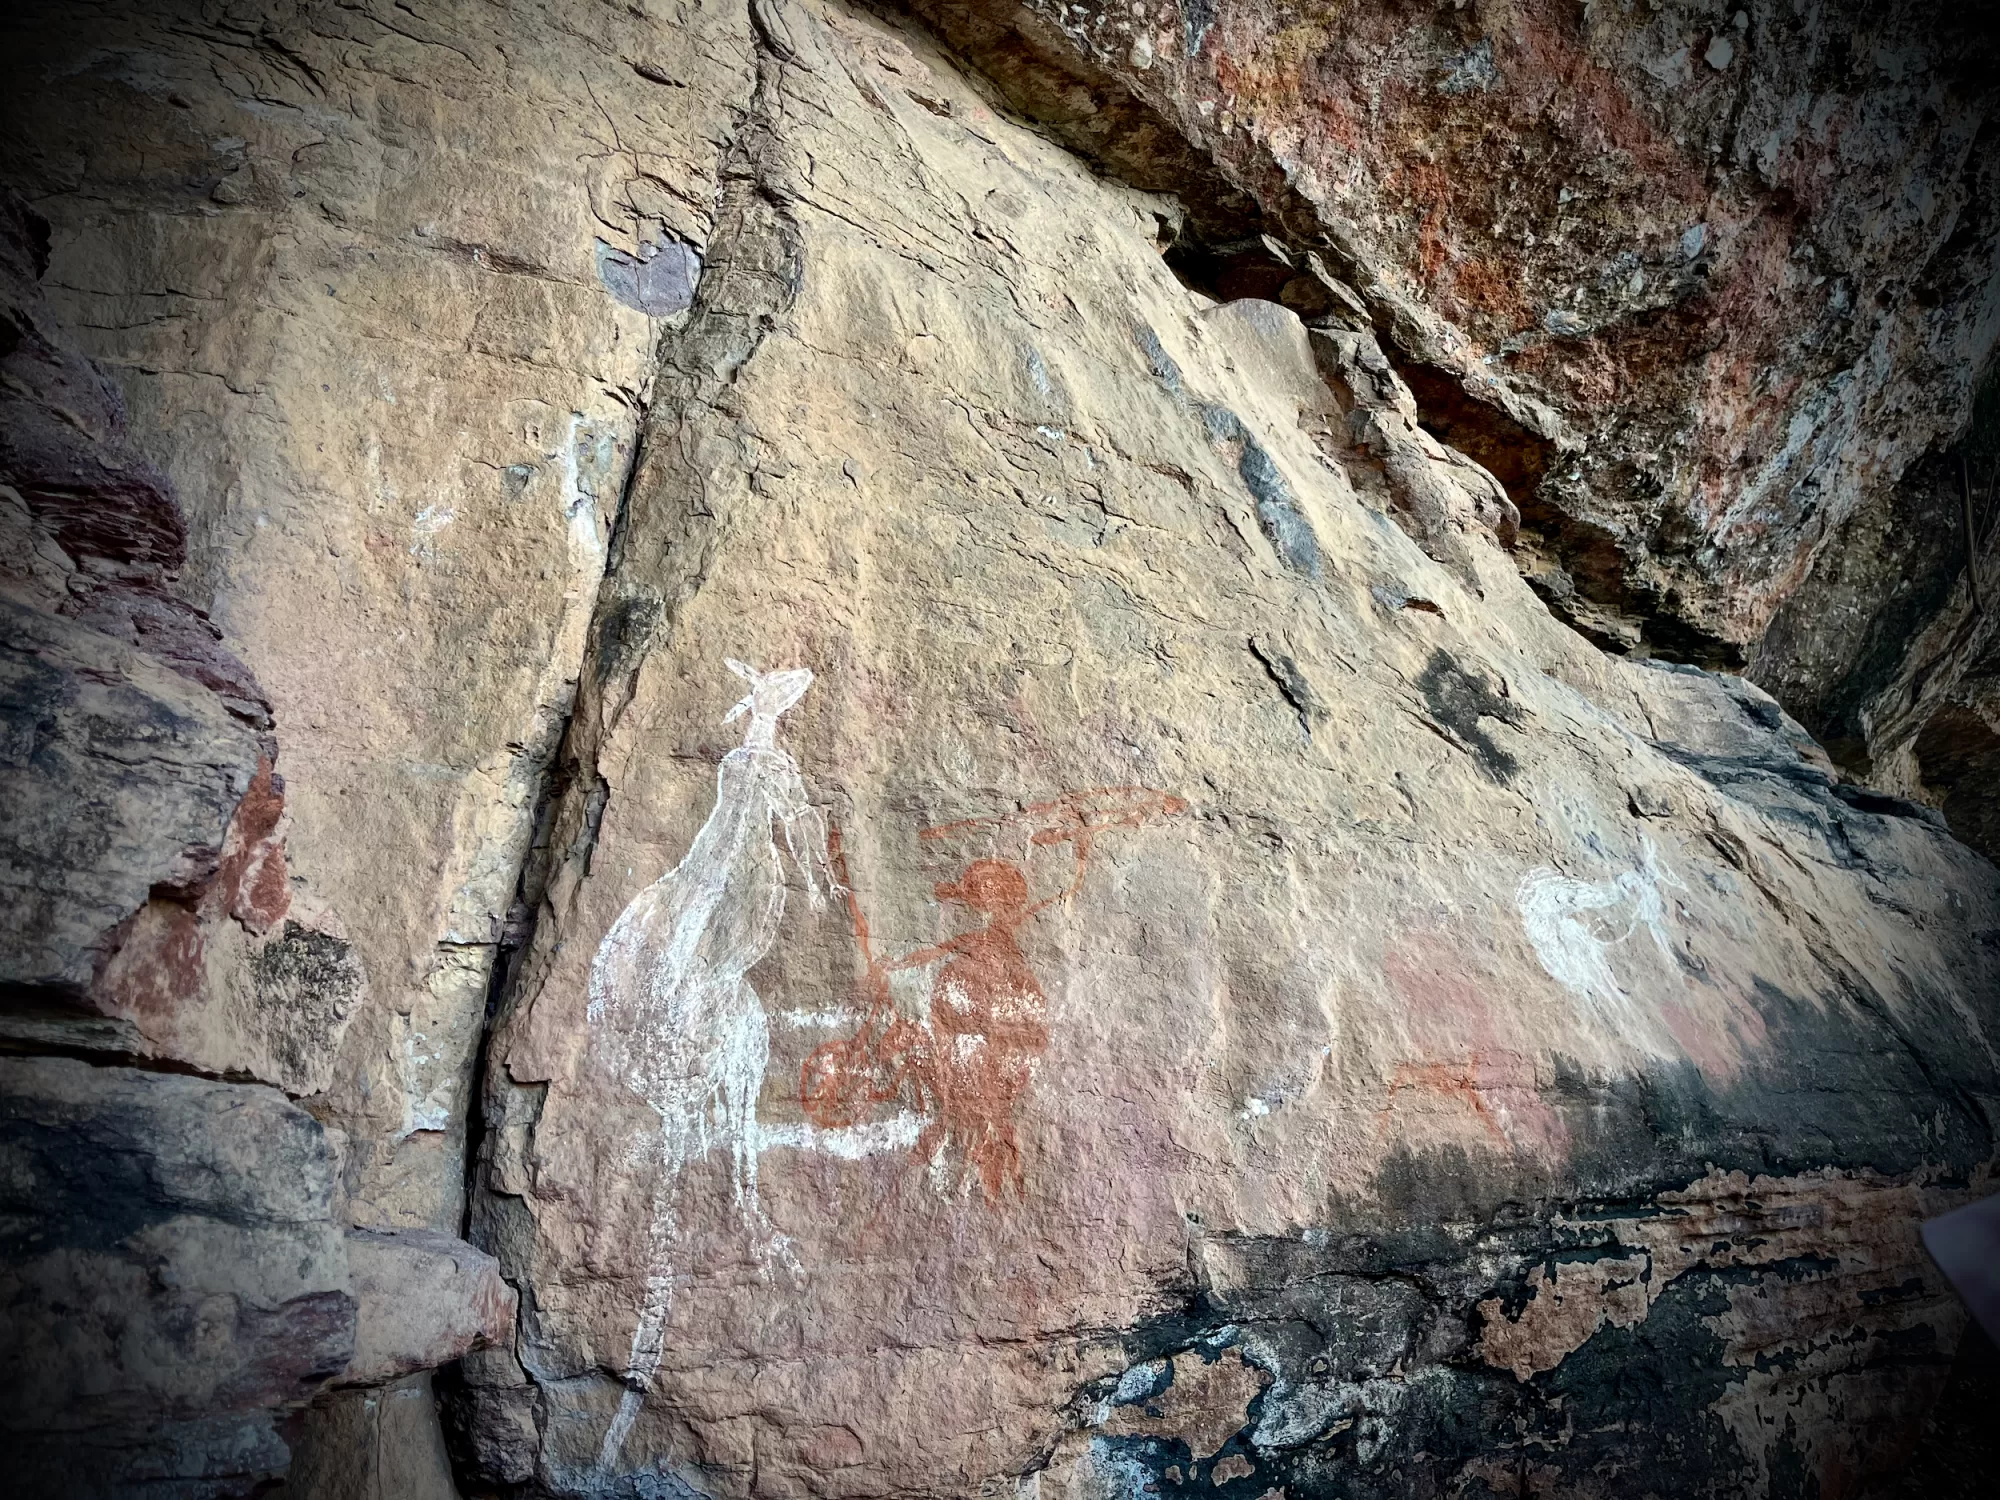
[675,1019]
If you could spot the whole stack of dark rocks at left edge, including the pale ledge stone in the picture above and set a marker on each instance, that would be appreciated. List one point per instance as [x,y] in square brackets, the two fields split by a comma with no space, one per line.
[179,1281]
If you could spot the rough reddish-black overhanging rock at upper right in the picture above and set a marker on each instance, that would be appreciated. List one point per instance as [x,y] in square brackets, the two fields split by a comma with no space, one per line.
[1641,263]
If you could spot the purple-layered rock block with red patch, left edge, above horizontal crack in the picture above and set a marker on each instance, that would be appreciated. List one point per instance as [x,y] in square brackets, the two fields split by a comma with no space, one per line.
[145,847]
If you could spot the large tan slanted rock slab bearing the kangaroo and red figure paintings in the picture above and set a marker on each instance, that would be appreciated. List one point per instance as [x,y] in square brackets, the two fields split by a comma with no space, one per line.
[1277,973]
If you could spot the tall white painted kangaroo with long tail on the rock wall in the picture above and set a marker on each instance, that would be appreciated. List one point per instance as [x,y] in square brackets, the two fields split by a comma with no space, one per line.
[673,1015]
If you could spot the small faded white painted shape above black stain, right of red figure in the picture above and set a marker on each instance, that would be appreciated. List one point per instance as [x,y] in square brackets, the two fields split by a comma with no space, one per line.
[1573,929]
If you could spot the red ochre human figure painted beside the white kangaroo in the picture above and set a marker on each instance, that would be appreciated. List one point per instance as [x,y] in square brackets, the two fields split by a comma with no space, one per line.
[989,1015]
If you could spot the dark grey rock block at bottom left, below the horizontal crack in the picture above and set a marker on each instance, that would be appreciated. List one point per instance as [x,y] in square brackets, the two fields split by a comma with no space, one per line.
[173,1279]
